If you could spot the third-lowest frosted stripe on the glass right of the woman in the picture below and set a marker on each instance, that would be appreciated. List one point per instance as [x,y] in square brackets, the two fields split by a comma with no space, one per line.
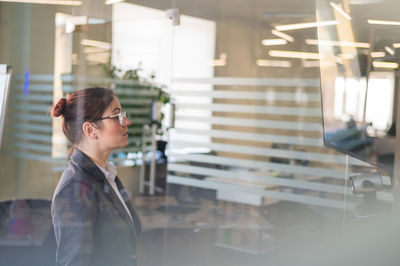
[286,168]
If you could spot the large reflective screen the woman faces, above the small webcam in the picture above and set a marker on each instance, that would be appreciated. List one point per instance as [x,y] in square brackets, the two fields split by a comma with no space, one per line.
[357,74]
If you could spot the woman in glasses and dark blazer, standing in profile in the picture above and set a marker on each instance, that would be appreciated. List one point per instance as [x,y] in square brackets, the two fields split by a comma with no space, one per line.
[93,224]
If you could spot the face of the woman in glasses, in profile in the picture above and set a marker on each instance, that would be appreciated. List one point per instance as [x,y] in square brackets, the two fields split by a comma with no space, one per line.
[112,134]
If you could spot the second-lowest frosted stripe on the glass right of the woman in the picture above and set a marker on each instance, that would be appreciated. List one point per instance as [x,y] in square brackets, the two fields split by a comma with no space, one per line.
[260,179]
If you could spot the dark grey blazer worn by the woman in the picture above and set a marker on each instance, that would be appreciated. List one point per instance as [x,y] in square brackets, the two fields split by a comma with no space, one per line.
[90,222]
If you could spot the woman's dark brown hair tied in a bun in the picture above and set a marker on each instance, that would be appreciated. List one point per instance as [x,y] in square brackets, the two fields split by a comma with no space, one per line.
[79,107]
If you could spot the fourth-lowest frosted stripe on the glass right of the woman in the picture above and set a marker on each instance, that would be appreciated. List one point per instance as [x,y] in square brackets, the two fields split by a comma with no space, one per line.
[278,153]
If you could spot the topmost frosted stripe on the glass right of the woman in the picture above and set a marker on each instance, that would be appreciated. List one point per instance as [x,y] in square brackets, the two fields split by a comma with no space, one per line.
[228,81]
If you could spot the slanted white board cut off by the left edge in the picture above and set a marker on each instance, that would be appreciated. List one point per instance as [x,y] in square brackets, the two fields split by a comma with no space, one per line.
[5,78]
